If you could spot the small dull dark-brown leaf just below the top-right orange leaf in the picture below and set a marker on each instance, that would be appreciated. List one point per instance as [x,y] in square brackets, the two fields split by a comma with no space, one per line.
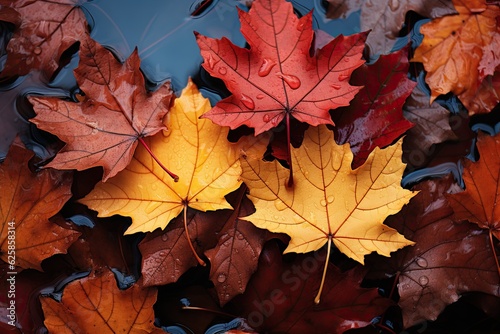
[432,123]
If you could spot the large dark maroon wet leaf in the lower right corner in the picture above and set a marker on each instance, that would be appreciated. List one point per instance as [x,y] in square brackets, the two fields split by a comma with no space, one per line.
[448,259]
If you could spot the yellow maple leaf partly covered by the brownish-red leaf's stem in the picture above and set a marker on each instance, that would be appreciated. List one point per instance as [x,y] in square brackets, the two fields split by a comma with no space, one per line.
[197,150]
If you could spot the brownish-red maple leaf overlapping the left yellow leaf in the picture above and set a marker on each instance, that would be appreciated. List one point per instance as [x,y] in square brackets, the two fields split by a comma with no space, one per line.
[103,130]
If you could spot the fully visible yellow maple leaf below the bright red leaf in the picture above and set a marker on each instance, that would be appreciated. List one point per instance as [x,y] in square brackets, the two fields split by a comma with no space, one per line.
[329,200]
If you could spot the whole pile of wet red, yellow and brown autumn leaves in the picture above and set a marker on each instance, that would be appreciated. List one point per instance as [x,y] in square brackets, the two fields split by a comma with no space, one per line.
[162,213]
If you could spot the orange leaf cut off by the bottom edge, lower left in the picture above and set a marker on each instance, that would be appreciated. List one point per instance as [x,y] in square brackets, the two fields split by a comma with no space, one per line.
[95,304]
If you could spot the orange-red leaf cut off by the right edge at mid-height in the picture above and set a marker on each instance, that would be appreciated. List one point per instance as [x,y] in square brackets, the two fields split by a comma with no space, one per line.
[478,203]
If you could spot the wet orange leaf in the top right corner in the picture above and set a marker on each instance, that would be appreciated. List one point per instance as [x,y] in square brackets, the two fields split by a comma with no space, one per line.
[455,45]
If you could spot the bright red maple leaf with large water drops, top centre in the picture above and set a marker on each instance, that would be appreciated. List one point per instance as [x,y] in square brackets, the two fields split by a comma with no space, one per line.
[277,76]
